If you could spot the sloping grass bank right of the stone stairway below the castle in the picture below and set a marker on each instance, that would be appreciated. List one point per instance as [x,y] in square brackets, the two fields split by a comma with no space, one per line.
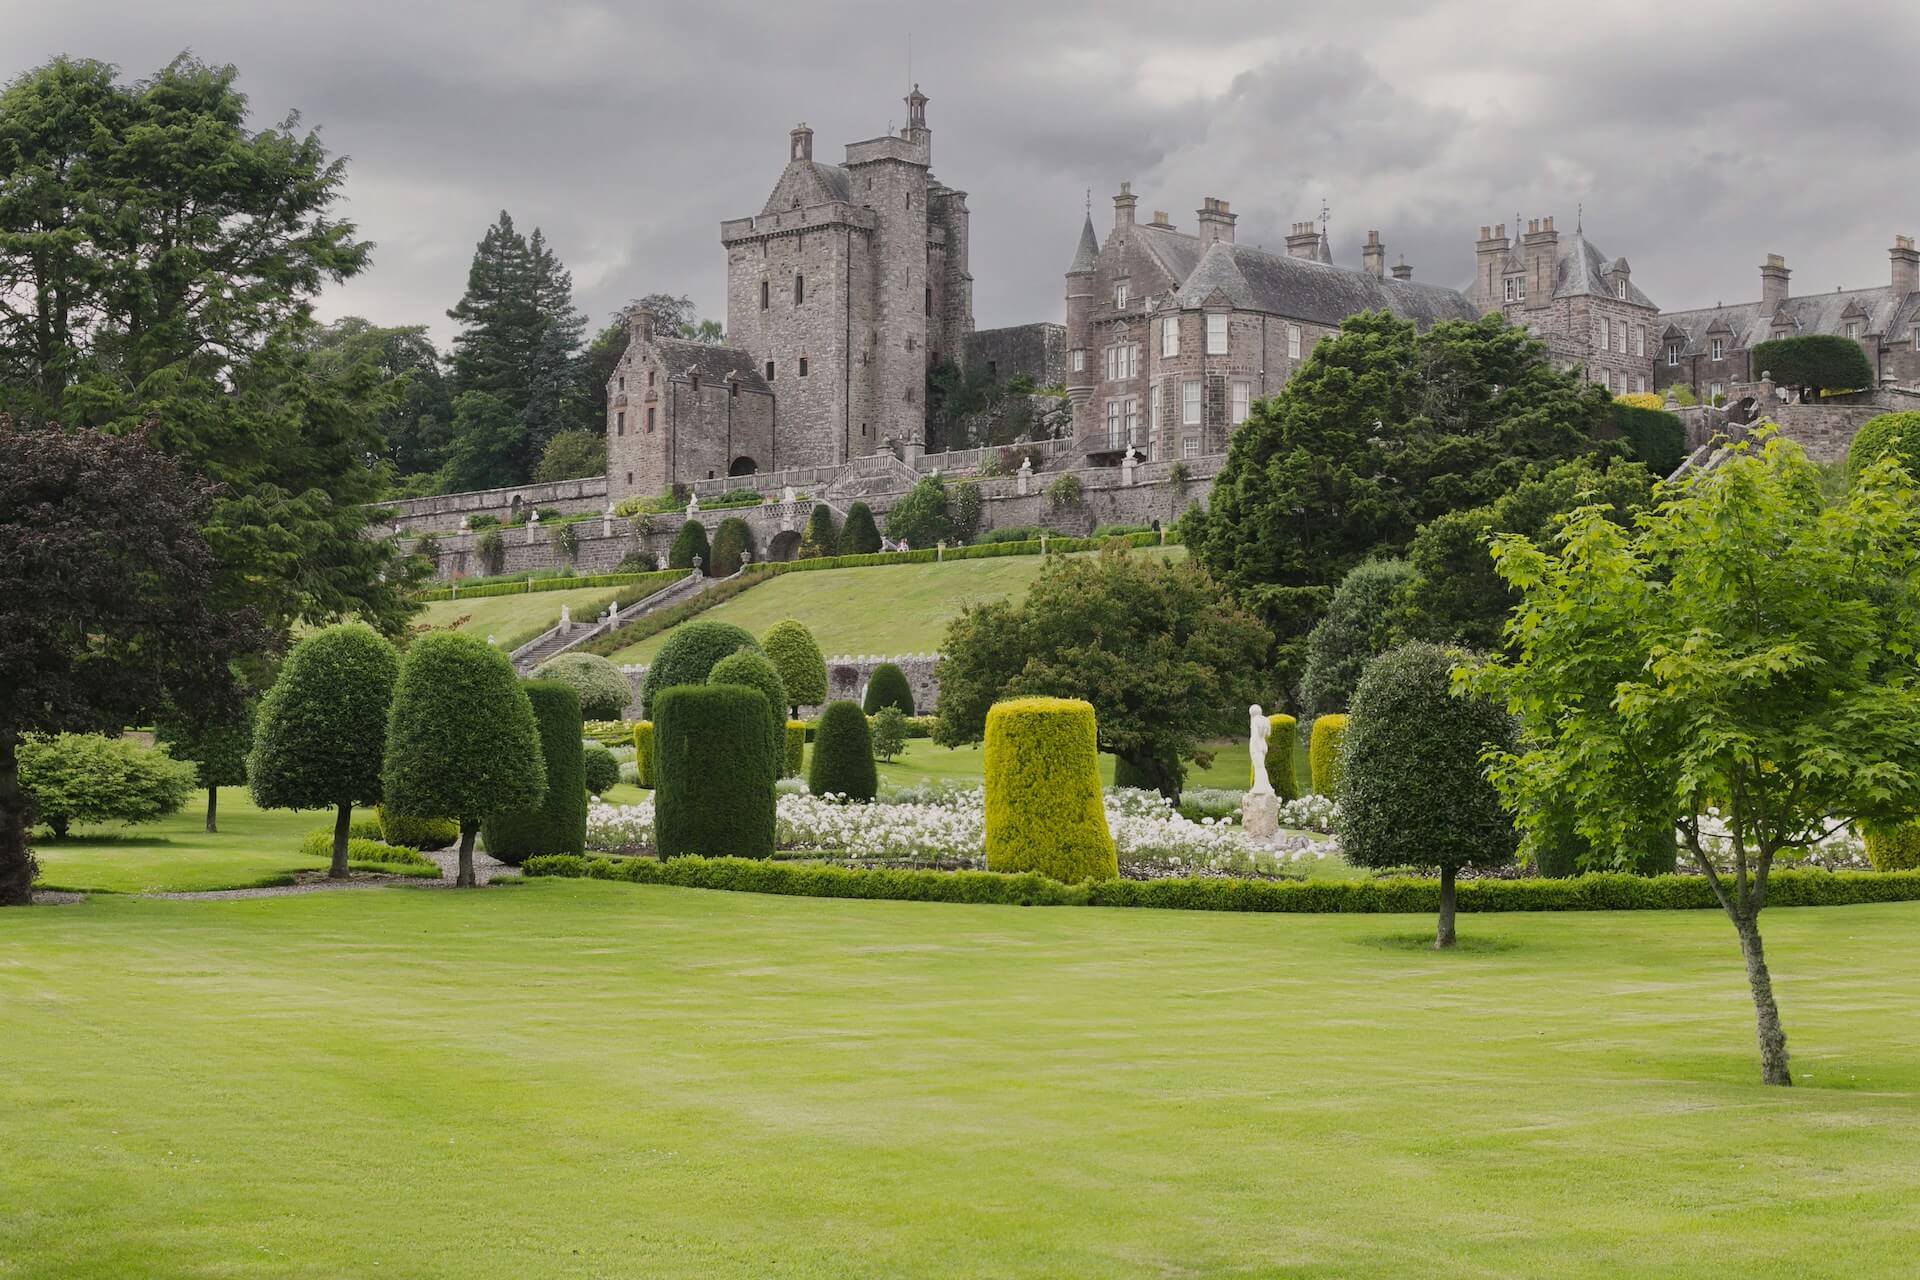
[886,609]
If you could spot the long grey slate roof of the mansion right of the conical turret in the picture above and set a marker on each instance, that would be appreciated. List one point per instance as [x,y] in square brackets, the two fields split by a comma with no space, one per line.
[1312,291]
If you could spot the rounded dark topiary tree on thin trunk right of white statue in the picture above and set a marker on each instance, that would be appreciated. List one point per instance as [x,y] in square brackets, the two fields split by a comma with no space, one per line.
[1416,792]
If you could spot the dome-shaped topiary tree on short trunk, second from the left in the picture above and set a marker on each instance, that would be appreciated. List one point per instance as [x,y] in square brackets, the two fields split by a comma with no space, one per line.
[462,740]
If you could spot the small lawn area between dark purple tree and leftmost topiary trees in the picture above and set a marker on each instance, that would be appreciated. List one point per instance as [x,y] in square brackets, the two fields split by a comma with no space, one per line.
[176,855]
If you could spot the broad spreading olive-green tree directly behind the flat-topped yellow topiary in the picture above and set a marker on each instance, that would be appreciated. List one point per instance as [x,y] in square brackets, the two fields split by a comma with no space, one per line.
[1159,650]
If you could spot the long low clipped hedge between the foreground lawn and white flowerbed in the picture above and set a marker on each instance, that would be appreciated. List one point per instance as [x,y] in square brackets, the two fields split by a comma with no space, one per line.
[1383,897]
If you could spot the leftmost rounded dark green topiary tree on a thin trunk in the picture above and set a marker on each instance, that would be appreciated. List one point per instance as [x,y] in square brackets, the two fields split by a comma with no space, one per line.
[320,730]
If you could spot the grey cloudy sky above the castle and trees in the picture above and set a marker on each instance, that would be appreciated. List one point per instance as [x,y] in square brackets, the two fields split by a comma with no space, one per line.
[1698,137]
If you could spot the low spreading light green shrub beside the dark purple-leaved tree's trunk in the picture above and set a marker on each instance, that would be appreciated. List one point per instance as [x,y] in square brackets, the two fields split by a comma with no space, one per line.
[85,778]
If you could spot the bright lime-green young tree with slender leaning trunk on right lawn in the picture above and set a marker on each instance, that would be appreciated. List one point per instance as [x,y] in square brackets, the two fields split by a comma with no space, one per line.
[1748,650]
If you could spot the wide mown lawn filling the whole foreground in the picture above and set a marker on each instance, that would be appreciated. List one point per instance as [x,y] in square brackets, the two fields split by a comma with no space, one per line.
[583,1079]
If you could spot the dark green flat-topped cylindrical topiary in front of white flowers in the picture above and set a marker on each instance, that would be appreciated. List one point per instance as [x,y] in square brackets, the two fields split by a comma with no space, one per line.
[715,774]
